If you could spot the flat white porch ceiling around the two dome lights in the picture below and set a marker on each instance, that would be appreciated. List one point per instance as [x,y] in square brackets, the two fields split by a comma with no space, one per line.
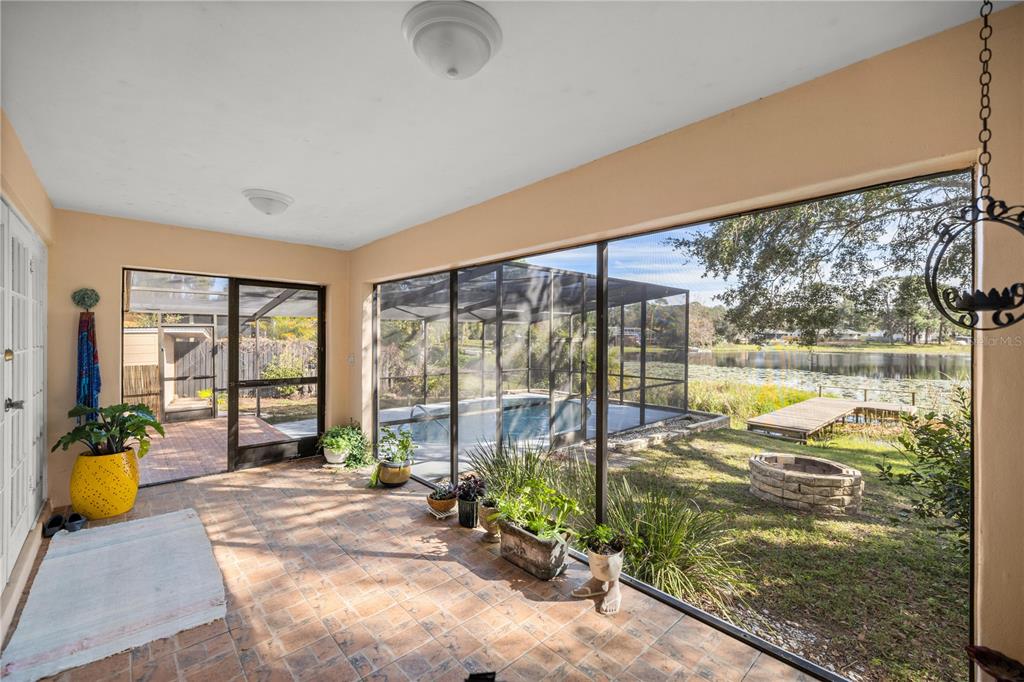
[165,112]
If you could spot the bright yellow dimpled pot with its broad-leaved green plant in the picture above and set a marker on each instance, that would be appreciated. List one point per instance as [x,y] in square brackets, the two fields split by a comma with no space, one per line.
[105,480]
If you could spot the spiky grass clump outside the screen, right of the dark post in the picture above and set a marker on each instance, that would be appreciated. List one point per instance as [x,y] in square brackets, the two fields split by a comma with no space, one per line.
[675,546]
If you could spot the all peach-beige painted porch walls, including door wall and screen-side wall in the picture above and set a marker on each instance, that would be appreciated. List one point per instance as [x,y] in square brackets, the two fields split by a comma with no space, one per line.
[909,112]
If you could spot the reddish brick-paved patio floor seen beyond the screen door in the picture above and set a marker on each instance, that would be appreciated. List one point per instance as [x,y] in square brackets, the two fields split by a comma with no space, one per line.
[200,448]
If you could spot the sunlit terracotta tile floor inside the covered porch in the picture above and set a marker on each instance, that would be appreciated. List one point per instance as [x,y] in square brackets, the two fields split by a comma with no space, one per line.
[330,581]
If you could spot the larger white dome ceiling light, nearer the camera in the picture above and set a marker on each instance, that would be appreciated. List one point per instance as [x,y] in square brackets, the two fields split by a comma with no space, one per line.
[454,38]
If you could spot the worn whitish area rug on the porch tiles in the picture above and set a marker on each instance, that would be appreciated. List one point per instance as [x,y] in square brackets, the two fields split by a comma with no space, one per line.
[105,590]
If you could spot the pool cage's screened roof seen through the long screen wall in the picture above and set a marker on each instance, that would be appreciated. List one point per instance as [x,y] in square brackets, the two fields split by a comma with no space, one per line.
[528,292]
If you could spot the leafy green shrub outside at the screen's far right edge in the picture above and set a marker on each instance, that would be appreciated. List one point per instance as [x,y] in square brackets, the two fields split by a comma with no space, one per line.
[937,451]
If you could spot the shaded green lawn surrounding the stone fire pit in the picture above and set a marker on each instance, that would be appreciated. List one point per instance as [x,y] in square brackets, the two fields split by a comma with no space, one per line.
[880,596]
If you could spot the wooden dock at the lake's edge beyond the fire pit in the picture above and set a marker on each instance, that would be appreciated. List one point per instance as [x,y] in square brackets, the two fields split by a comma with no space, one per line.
[808,419]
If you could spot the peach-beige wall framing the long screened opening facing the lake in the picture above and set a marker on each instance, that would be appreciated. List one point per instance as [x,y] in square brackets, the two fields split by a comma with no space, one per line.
[909,112]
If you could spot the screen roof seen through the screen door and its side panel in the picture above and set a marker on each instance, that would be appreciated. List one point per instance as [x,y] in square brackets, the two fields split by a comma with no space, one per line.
[148,291]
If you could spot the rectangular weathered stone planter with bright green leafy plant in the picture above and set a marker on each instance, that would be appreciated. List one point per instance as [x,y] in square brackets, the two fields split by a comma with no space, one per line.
[535,531]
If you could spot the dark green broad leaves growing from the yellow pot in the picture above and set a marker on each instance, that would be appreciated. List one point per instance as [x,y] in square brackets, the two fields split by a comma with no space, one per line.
[116,430]
